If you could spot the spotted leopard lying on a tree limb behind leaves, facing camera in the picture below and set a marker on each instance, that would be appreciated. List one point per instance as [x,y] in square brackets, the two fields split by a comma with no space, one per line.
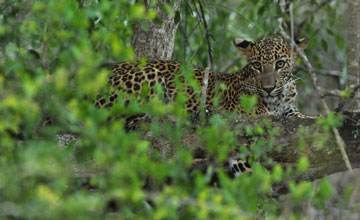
[268,75]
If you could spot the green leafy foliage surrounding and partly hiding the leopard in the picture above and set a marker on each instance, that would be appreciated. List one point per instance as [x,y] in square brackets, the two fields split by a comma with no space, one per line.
[51,54]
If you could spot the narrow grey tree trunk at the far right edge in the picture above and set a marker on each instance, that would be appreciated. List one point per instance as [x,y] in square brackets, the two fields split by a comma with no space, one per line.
[353,76]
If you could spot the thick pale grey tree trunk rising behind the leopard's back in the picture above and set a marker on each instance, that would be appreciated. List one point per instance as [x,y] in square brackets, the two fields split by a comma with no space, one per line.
[157,42]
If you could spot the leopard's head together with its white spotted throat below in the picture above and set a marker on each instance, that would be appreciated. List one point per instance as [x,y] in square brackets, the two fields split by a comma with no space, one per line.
[271,61]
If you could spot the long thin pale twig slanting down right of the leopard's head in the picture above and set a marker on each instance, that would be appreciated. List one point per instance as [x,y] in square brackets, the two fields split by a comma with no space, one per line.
[313,79]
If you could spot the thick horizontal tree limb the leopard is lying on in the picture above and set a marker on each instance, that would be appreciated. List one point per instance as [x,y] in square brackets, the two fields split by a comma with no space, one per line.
[324,159]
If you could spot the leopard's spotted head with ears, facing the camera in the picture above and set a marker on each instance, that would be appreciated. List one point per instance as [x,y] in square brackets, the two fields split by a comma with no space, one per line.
[272,62]
